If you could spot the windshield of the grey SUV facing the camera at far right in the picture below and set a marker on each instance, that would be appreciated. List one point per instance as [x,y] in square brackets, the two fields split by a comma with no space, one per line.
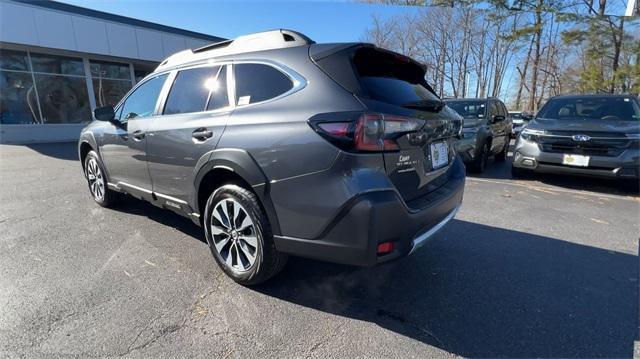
[602,108]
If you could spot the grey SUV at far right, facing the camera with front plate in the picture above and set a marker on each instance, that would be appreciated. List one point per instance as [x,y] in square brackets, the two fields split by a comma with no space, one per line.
[592,135]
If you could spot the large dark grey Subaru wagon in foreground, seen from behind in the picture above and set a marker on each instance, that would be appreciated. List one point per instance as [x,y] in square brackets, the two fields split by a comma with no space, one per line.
[277,145]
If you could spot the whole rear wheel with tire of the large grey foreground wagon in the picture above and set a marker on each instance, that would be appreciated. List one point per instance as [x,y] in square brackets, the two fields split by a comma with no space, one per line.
[239,236]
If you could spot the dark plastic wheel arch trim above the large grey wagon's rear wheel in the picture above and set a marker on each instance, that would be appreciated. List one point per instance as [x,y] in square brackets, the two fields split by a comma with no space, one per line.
[234,166]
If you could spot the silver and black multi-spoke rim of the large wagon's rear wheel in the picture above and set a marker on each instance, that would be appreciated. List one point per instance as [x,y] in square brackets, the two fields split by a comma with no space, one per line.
[234,235]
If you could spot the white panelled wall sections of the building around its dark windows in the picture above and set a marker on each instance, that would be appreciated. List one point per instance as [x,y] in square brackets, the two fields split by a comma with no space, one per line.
[87,37]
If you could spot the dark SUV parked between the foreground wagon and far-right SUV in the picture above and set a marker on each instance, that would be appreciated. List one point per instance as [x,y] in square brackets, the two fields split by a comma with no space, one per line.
[486,132]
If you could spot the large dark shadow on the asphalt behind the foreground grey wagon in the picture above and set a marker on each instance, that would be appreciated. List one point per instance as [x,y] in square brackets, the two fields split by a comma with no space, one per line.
[481,291]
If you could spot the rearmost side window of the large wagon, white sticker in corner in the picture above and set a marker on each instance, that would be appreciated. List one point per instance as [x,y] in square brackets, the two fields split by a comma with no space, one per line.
[258,82]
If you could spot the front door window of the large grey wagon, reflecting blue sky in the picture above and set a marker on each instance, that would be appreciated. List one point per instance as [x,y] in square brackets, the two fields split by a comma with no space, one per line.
[142,102]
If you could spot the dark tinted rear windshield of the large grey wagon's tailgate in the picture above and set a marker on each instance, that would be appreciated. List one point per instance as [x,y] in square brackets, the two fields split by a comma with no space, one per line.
[391,78]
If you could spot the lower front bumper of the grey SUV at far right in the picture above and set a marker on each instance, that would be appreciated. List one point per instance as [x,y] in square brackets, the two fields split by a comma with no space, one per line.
[527,155]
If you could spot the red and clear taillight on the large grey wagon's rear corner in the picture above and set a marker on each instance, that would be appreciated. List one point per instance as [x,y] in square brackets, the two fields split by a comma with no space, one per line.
[368,132]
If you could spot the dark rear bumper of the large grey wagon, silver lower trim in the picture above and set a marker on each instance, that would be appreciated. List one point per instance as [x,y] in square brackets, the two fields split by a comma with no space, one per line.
[381,216]
